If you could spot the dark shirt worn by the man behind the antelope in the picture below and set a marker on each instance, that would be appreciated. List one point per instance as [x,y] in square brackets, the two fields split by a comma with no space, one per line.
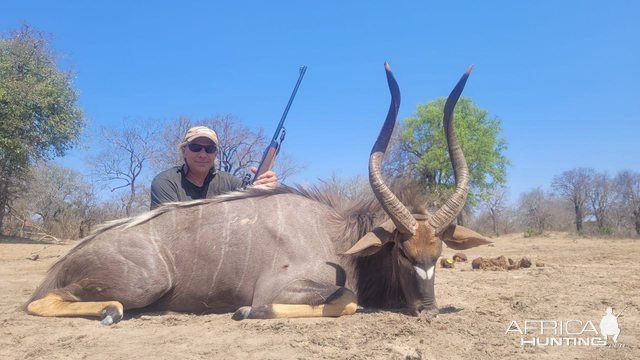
[172,185]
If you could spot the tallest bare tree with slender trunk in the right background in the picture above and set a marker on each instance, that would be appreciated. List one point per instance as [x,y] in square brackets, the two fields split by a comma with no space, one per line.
[574,186]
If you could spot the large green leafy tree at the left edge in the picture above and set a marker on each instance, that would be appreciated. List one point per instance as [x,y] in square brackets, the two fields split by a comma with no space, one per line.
[39,117]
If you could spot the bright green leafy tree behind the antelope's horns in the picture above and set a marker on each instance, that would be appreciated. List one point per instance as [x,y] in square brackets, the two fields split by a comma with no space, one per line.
[422,149]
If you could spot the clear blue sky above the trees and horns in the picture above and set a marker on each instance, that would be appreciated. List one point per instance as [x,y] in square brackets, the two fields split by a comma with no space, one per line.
[561,75]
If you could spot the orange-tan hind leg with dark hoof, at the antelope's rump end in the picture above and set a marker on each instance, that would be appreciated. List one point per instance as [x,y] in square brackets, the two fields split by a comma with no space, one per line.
[54,305]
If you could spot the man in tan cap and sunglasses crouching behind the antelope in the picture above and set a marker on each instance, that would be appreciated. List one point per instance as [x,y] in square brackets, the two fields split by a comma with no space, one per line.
[198,178]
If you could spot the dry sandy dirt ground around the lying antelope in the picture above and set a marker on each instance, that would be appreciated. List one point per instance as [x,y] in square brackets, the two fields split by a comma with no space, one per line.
[580,279]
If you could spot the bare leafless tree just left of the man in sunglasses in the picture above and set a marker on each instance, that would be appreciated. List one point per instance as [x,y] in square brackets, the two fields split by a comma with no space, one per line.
[126,153]
